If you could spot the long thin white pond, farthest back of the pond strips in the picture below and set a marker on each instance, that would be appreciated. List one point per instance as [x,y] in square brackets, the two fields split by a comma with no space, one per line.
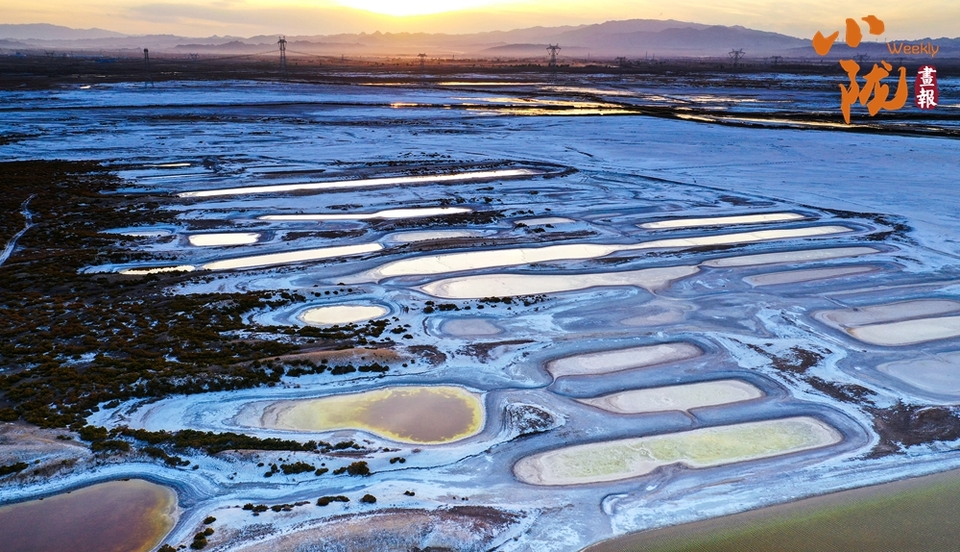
[363,183]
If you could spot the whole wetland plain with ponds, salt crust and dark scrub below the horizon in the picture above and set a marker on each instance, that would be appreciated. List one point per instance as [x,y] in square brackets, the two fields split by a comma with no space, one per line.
[520,311]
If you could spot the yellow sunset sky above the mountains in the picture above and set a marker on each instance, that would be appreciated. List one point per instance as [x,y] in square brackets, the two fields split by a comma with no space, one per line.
[801,18]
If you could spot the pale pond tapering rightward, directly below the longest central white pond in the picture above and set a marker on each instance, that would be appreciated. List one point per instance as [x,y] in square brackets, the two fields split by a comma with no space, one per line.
[497,285]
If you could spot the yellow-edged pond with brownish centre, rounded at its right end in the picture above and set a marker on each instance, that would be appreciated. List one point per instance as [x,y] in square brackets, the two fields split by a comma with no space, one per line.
[414,414]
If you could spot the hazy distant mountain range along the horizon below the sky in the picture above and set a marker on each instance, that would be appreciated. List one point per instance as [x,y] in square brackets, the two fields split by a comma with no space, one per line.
[630,38]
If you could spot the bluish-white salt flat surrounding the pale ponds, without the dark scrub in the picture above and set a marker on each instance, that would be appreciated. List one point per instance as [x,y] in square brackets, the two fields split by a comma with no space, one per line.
[589,333]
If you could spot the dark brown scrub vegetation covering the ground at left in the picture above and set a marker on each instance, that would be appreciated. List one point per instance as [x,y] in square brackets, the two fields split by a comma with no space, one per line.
[70,341]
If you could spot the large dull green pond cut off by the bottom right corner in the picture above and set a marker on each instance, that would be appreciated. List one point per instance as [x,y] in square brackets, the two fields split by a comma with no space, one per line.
[912,515]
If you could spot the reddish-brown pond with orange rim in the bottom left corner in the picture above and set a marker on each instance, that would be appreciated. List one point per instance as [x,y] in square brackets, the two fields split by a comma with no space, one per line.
[118,516]
